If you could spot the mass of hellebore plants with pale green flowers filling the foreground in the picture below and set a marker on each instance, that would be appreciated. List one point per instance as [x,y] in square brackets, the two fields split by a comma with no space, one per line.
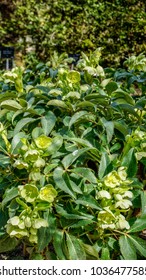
[73,159]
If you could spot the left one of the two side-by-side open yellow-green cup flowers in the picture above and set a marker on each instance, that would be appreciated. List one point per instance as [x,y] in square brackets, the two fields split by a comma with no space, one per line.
[28,192]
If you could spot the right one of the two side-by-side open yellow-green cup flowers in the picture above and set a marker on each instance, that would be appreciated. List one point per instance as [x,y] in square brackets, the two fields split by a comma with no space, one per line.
[48,193]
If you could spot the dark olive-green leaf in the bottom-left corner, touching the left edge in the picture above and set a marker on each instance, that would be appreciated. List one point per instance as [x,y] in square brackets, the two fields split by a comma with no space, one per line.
[7,244]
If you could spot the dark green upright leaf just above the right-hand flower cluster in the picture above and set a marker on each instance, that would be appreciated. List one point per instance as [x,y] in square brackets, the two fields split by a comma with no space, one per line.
[130,162]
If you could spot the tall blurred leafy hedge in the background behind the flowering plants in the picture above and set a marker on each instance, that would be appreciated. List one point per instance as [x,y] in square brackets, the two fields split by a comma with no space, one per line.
[74,26]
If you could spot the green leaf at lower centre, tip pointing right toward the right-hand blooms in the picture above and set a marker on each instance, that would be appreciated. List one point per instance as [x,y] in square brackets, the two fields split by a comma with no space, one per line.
[88,201]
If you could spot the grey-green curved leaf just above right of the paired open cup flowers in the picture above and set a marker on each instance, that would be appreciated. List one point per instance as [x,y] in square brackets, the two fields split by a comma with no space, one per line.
[61,183]
